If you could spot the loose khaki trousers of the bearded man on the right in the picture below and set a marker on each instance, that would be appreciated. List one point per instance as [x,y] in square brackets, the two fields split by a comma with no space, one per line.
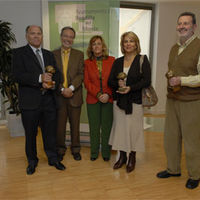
[183,123]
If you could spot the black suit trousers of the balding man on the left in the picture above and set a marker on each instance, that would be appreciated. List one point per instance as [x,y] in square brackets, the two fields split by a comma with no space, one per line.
[45,117]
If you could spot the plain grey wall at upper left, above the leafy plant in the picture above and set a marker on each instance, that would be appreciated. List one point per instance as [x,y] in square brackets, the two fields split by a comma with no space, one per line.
[21,13]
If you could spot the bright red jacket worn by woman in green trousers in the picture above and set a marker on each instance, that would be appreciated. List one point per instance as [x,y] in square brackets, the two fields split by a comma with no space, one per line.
[91,79]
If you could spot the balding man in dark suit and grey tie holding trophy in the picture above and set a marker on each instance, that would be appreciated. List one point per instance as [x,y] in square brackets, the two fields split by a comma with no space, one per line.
[36,96]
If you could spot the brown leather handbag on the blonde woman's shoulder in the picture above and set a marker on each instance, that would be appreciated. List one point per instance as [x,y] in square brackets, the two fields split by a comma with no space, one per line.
[149,96]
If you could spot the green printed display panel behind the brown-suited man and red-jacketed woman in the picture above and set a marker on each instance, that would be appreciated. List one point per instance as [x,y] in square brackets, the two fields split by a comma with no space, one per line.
[88,18]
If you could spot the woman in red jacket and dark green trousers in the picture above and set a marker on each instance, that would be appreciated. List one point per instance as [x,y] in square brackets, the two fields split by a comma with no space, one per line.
[99,101]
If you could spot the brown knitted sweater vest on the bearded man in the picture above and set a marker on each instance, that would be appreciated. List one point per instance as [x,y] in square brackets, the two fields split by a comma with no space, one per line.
[185,64]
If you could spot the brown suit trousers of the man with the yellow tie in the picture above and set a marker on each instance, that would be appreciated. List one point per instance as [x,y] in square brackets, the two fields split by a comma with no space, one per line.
[66,112]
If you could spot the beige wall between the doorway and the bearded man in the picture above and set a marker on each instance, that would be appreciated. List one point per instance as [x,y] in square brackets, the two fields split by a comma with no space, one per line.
[166,36]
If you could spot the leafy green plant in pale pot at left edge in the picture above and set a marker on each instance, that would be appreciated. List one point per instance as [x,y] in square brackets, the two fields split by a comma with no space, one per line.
[8,87]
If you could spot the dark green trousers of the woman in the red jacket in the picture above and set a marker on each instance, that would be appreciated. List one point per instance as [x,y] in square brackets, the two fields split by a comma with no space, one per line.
[100,116]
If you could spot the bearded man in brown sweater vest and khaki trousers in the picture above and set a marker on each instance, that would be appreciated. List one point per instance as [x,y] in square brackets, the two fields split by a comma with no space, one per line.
[183,103]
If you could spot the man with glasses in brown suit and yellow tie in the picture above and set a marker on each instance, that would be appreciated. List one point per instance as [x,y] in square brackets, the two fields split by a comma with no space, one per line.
[70,62]
